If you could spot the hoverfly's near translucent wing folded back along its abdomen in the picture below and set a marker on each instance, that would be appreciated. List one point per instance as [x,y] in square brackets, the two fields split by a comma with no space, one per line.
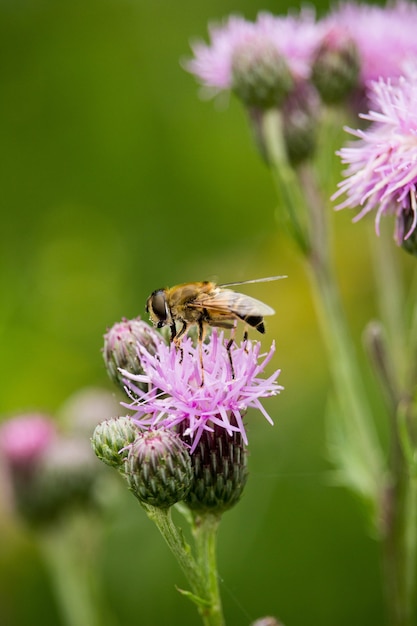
[226,301]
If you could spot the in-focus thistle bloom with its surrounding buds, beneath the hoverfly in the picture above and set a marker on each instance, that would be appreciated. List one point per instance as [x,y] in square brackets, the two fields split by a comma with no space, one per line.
[183,441]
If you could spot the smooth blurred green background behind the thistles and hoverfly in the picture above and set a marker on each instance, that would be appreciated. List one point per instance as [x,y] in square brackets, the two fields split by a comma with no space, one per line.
[117,179]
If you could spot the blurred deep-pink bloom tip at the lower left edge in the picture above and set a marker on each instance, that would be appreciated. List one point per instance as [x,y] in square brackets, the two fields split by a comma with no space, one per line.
[24,439]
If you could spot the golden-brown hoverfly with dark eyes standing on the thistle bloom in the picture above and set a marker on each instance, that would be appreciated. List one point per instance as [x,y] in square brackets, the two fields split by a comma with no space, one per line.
[207,304]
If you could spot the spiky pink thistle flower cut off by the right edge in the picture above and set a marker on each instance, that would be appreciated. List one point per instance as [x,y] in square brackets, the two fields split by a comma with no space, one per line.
[382,164]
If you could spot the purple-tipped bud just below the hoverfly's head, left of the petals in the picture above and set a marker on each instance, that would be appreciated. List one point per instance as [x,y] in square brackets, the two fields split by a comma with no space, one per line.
[121,348]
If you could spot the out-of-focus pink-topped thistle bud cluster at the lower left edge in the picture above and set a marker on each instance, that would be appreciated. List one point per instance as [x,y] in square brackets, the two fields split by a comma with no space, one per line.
[50,472]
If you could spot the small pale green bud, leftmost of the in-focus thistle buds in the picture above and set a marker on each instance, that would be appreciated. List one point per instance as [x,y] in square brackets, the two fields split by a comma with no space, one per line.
[111,438]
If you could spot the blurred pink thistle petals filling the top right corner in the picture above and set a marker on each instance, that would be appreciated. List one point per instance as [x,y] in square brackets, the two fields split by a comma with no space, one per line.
[385,36]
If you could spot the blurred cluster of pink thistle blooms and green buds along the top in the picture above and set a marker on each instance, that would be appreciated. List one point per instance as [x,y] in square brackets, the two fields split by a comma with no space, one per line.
[267,61]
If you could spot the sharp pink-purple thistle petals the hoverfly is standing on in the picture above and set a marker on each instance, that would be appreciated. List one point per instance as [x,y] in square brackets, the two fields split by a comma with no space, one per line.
[177,397]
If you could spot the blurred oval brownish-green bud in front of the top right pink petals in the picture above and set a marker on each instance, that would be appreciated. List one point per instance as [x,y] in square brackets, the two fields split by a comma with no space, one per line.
[335,71]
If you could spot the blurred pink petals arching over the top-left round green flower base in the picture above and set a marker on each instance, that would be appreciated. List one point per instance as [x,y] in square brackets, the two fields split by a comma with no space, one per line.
[294,37]
